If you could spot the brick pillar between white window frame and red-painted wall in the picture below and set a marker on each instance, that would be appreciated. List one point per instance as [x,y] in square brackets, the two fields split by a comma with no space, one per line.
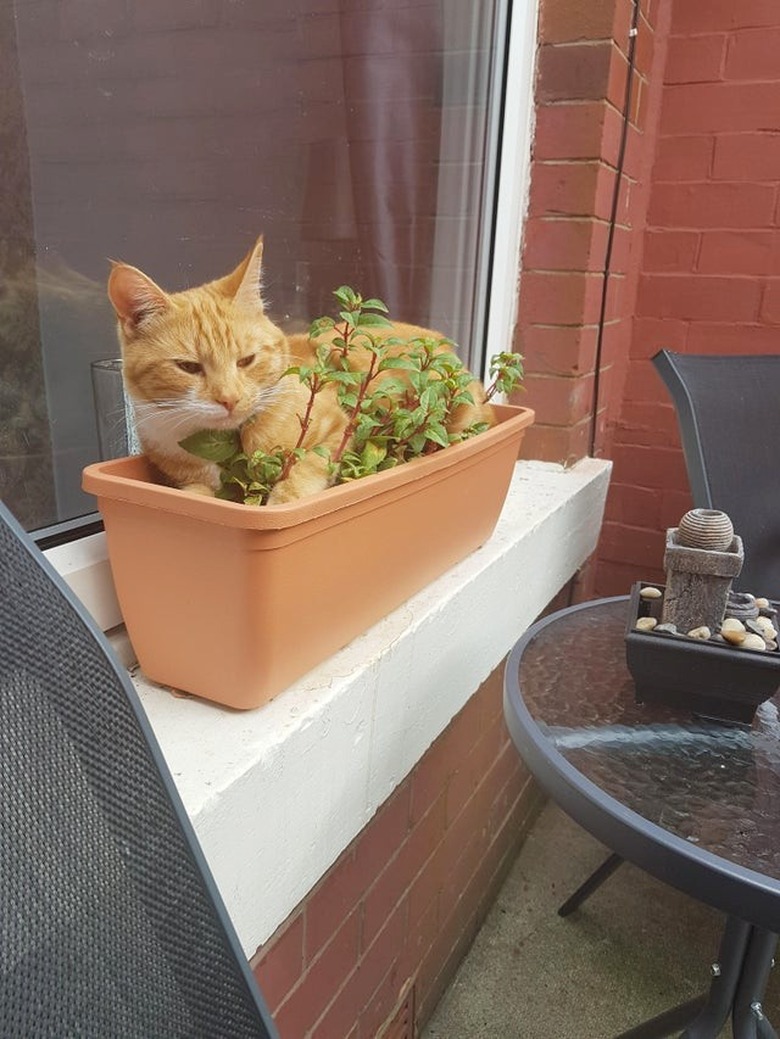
[566,329]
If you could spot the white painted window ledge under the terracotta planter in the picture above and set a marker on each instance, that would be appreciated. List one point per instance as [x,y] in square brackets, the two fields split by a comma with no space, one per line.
[278,793]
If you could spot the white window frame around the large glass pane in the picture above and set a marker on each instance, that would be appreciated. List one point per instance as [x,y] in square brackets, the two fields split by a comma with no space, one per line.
[84,563]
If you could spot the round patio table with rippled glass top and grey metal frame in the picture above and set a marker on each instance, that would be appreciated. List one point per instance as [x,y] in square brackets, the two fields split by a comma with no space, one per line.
[696,804]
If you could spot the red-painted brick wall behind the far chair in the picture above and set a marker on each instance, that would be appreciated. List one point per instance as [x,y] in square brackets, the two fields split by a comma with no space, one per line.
[710,279]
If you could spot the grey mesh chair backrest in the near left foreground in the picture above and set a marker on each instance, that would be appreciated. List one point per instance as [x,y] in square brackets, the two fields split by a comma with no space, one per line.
[111,923]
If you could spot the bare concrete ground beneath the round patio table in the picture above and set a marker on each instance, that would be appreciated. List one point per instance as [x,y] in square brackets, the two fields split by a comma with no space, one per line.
[634,950]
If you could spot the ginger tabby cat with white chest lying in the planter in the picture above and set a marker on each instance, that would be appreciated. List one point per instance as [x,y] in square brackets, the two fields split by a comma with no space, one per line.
[210,358]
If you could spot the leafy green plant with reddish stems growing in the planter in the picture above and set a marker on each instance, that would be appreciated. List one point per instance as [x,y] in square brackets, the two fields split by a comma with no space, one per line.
[397,408]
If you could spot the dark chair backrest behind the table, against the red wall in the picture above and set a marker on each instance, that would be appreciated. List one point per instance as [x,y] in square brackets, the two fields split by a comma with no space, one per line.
[729,409]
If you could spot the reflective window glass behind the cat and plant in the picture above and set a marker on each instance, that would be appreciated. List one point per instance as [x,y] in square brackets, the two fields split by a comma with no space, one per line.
[354,135]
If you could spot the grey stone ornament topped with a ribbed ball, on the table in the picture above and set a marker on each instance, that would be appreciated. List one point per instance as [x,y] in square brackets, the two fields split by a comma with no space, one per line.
[703,557]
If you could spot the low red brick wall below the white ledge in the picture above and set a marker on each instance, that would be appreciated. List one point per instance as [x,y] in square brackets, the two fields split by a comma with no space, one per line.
[405,901]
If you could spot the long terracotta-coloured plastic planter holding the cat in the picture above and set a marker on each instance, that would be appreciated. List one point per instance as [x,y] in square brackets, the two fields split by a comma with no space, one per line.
[234,603]
